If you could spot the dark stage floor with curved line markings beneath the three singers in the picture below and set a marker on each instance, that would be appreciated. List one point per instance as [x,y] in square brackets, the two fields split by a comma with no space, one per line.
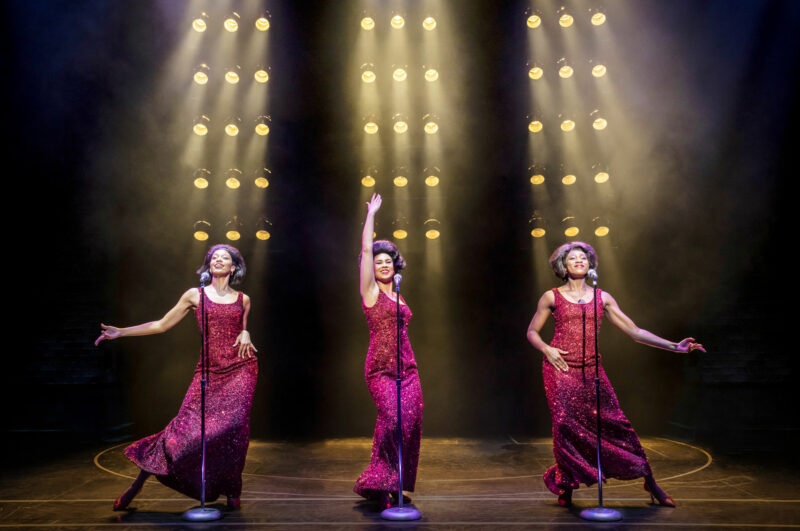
[462,483]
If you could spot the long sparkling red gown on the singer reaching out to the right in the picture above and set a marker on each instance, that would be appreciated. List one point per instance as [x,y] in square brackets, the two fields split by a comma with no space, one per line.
[572,398]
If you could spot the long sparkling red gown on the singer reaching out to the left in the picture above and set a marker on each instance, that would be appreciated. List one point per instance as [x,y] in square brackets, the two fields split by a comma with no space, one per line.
[174,454]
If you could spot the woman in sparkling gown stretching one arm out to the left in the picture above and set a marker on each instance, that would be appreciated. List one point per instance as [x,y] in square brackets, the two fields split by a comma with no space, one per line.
[174,454]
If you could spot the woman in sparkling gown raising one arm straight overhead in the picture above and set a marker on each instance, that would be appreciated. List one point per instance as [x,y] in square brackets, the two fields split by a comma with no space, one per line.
[379,262]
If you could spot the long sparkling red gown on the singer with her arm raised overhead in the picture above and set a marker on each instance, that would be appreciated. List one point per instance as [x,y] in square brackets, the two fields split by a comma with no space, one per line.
[380,373]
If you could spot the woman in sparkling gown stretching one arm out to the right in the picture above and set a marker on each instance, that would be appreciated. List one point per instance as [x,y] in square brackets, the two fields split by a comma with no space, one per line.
[568,370]
